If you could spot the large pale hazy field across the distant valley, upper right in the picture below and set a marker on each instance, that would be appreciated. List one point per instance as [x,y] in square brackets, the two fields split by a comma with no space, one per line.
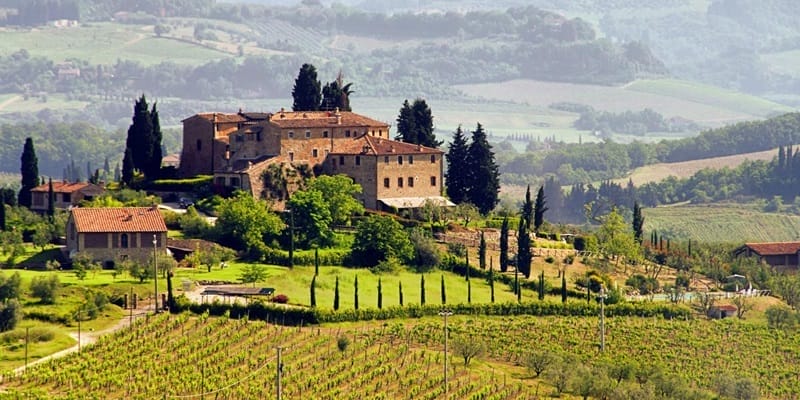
[703,104]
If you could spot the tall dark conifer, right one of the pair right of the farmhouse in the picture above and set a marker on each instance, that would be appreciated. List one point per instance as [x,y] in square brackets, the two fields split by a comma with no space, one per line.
[482,172]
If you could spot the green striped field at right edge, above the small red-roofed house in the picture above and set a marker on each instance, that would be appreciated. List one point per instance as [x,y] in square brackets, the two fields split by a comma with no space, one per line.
[721,223]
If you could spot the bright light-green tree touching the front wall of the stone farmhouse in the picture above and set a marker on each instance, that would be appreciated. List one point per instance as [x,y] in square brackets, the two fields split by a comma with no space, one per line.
[339,192]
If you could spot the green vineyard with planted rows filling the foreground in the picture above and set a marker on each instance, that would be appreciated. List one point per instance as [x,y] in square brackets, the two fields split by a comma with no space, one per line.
[186,357]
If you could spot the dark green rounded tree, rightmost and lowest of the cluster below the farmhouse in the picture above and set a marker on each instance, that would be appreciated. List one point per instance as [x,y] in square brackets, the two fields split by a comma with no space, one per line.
[378,238]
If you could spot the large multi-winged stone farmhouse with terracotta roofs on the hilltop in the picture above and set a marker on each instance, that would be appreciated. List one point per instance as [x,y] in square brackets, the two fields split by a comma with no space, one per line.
[242,148]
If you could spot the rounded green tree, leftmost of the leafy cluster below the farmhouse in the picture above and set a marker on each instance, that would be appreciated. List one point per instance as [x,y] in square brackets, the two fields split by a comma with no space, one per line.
[246,223]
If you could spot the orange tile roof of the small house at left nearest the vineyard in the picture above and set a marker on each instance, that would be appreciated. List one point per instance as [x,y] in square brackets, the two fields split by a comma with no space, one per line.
[118,219]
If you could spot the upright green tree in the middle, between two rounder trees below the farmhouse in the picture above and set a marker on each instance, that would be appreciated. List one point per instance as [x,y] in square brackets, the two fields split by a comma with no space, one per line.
[312,218]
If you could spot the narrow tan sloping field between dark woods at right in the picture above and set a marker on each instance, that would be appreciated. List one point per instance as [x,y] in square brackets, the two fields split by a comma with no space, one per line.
[685,169]
